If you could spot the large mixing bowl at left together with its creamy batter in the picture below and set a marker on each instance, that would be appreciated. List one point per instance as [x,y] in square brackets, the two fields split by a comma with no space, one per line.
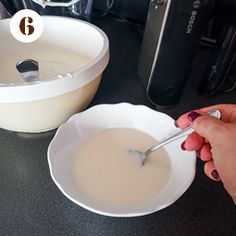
[44,105]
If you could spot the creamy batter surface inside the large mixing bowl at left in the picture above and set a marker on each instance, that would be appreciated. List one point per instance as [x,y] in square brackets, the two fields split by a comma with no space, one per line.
[53,61]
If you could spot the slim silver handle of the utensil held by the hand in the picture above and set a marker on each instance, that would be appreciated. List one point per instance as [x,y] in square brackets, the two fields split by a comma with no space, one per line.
[180,134]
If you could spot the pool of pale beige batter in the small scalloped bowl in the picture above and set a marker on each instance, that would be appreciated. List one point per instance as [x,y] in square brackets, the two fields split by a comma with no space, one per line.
[109,174]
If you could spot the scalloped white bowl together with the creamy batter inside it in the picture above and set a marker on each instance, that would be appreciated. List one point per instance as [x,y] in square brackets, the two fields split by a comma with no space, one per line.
[84,167]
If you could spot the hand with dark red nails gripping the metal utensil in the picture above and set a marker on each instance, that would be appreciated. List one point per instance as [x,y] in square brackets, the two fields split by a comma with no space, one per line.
[215,143]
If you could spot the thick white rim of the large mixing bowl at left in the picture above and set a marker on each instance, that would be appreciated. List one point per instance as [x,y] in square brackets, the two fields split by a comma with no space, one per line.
[25,92]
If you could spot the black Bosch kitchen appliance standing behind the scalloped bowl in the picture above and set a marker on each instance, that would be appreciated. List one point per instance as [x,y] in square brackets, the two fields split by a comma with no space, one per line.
[172,33]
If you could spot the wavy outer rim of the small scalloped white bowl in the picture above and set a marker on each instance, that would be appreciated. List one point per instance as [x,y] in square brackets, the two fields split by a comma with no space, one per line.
[174,198]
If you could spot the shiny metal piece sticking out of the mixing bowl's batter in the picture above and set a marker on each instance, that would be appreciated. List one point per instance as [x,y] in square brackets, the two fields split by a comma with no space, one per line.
[28,69]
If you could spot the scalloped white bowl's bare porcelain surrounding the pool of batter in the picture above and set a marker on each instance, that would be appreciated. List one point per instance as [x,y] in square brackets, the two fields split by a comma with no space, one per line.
[100,117]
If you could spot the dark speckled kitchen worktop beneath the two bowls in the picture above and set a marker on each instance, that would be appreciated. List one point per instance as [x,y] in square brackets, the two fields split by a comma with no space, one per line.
[31,204]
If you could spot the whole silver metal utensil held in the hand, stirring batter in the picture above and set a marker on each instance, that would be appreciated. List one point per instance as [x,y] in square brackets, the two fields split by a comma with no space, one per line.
[144,155]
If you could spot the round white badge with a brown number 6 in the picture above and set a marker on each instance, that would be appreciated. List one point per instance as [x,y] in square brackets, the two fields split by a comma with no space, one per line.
[26,26]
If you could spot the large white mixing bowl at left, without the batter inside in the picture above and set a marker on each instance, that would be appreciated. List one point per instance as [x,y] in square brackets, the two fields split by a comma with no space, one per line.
[36,107]
